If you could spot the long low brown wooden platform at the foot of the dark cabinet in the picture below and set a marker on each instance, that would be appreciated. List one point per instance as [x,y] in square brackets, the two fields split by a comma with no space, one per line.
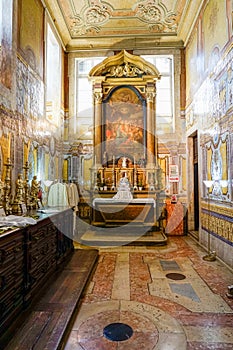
[46,323]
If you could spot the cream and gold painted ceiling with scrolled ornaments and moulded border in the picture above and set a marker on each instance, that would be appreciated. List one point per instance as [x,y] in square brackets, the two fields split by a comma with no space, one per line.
[123,24]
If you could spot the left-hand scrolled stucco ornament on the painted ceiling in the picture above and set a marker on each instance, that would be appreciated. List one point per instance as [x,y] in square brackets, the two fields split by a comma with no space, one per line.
[90,18]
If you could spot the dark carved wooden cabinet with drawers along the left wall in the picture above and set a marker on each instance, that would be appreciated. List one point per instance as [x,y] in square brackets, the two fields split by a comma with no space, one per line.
[28,257]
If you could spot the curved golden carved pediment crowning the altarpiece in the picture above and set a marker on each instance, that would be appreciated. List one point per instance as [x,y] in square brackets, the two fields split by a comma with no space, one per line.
[124,65]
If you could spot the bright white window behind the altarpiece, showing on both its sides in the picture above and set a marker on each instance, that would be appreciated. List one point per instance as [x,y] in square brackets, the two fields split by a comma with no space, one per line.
[84,100]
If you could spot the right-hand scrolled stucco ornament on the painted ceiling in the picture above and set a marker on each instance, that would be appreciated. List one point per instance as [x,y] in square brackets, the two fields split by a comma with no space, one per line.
[157,16]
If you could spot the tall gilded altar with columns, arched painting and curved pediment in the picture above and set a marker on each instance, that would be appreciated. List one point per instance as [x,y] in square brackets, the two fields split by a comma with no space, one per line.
[125,174]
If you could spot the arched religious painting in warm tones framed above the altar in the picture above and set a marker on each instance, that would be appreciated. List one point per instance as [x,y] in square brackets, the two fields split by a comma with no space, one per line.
[124,124]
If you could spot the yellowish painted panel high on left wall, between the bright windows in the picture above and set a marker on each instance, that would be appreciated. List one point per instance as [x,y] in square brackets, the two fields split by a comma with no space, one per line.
[31,34]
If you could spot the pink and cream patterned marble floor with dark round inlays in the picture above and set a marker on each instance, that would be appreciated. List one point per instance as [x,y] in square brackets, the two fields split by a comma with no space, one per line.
[161,298]
